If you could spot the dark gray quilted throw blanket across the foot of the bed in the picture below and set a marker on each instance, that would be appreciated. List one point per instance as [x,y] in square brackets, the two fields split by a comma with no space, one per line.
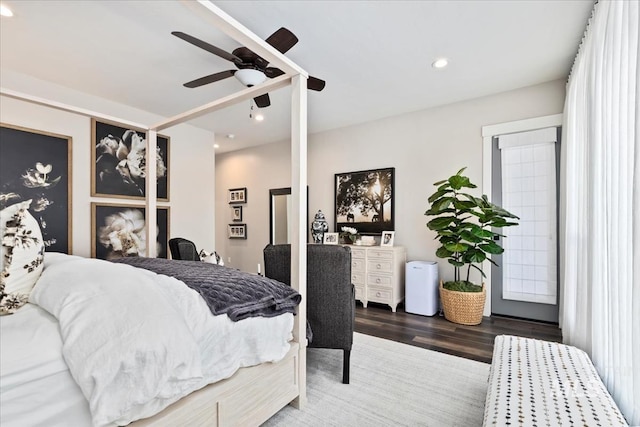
[226,290]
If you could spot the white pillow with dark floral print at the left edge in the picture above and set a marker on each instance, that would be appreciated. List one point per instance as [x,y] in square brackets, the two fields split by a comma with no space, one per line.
[22,256]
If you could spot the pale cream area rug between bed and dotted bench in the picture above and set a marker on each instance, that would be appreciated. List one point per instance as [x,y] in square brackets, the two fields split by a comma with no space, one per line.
[392,384]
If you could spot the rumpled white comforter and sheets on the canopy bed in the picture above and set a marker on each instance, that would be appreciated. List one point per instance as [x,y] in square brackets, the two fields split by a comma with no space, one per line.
[94,302]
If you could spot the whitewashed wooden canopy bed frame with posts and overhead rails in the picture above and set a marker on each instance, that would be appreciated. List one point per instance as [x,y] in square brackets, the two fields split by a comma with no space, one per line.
[252,395]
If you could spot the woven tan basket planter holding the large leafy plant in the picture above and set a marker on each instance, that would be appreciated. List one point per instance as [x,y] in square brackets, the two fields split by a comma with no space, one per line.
[465,308]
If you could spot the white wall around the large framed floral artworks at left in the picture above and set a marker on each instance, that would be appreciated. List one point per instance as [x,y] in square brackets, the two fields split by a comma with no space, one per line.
[191,158]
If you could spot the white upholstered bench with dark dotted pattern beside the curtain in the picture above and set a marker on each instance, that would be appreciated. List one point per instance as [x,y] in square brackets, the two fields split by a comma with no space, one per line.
[541,383]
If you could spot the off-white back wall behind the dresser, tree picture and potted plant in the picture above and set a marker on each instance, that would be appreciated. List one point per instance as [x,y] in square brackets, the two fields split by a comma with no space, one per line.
[424,147]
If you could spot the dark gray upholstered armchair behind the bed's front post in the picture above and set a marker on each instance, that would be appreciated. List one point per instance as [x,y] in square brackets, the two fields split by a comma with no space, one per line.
[330,294]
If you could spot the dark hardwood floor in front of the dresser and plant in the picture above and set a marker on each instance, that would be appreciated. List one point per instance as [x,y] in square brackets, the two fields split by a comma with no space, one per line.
[437,333]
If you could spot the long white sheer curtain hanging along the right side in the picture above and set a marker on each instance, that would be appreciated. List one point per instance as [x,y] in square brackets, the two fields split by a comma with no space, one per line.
[600,197]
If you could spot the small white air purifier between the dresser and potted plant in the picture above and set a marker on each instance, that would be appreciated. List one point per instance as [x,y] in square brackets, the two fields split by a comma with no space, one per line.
[421,287]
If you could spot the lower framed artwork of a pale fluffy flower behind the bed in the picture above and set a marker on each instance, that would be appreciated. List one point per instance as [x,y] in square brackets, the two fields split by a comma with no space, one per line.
[119,230]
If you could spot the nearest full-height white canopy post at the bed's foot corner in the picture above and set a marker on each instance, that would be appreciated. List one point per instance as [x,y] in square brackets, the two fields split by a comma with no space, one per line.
[299,227]
